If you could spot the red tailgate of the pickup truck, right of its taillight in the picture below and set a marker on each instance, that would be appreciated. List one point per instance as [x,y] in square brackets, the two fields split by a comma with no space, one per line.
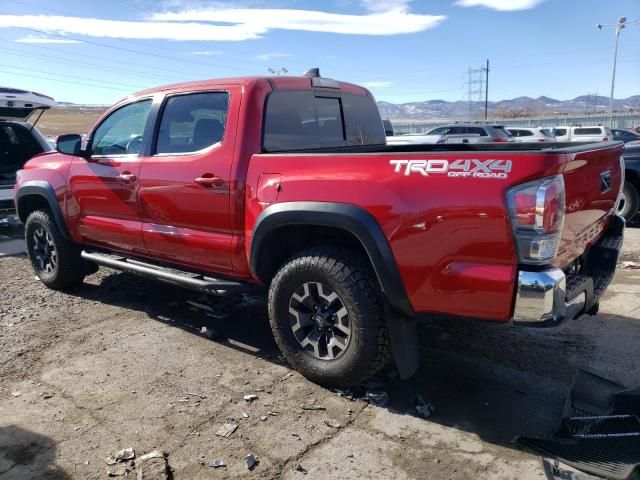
[593,178]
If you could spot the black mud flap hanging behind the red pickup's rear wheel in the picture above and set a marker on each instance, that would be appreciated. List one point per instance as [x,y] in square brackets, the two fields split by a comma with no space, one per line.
[403,334]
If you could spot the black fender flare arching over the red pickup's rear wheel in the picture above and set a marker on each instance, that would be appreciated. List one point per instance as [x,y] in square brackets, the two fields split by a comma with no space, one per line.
[351,218]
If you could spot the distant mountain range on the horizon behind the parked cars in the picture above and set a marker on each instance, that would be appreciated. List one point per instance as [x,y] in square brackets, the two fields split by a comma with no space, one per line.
[516,107]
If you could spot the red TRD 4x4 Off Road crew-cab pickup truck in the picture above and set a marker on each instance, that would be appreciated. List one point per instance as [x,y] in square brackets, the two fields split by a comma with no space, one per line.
[287,182]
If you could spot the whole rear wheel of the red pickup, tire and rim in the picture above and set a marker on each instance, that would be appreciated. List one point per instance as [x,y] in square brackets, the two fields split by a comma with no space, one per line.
[326,313]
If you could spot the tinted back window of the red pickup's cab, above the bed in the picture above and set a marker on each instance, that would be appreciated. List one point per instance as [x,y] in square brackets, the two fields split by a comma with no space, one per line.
[302,120]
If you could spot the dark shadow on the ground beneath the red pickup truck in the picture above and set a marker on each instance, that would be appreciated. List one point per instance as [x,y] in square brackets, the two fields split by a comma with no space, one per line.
[496,381]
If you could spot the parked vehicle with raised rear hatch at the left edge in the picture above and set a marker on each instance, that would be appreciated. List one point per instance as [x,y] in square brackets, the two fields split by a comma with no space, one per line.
[19,140]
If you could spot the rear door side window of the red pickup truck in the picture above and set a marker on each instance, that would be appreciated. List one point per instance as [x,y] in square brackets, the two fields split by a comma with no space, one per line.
[192,122]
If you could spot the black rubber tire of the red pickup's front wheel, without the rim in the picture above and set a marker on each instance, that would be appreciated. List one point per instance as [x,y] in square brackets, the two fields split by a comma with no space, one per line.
[69,270]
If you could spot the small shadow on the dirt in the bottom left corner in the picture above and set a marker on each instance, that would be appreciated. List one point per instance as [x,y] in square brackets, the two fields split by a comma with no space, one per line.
[25,454]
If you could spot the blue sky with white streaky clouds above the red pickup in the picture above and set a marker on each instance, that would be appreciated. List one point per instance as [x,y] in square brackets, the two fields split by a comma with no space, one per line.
[99,51]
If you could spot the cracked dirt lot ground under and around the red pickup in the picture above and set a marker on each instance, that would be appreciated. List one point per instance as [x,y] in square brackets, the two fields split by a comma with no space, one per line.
[121,363]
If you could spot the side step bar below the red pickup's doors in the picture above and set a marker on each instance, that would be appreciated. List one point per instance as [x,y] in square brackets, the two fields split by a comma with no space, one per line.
[194,281]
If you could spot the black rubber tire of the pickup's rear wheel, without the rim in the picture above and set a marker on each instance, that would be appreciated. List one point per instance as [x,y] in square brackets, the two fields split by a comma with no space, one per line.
[350,276]
